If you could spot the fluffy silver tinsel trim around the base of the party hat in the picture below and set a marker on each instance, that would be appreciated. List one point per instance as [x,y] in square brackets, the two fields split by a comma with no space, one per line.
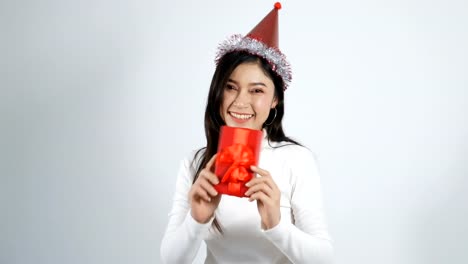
[275,58]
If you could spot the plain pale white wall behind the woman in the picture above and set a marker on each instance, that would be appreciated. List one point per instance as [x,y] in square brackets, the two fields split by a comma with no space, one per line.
[101,99]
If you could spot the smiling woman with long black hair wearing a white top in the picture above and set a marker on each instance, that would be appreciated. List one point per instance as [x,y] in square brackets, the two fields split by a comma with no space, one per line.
[282,220]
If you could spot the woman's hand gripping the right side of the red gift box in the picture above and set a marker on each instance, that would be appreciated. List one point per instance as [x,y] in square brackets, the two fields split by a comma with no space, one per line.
[264,190]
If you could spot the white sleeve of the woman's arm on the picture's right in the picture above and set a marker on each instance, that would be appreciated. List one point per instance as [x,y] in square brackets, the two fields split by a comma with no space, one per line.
[306,240]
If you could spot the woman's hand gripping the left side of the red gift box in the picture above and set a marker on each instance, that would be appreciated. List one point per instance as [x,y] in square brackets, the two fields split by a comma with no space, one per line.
[203,197]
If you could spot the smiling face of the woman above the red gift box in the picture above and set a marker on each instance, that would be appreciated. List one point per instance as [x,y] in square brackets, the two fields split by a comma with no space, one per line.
[248,97]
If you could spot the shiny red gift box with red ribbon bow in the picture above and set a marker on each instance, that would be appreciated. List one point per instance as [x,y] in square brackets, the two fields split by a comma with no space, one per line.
[238,149]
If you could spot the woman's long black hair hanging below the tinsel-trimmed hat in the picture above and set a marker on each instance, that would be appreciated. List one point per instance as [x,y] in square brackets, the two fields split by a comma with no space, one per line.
[213,120]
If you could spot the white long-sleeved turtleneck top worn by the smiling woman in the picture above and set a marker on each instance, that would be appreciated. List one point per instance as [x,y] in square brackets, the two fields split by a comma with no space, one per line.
[300,237]
